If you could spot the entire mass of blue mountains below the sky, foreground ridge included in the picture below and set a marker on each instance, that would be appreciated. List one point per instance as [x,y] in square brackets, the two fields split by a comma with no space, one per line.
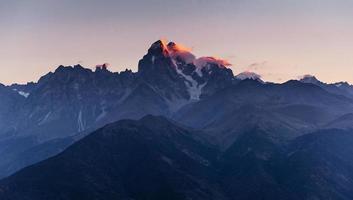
[219,136]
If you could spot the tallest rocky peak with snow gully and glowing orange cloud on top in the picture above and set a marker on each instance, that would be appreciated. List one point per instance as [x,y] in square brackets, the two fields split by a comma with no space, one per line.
[176,72]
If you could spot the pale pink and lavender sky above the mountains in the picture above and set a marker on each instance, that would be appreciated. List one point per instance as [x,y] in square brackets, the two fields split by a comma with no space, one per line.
[278,39]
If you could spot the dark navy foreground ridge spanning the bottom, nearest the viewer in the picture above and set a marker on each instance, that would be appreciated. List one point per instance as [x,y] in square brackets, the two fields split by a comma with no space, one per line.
[155,159]
